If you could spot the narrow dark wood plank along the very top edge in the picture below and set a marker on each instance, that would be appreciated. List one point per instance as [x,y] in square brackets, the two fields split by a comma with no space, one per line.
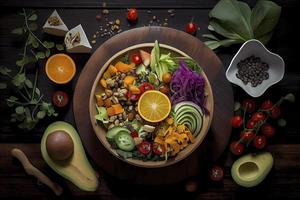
[179,4]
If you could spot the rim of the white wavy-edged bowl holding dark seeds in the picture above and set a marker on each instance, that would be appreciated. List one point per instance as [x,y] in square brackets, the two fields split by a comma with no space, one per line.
[262,91]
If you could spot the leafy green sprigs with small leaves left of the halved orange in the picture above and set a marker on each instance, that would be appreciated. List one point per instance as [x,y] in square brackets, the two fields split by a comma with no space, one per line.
[28,103]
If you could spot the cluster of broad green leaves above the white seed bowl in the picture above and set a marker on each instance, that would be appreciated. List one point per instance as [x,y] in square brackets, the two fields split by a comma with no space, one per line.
[237,23]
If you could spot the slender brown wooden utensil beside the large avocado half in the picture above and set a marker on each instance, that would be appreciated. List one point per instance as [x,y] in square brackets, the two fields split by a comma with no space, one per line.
[31,170]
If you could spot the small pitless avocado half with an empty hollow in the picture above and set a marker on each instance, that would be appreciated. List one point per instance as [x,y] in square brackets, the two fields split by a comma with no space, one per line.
[251,169]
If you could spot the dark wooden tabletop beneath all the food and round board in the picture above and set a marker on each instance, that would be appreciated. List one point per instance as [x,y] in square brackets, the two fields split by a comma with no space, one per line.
[282,183]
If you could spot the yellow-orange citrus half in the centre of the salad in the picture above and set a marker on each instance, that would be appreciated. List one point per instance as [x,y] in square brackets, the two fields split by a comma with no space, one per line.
[154,106]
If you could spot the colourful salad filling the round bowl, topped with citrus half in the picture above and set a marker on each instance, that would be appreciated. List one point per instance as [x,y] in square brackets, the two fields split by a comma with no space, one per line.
[153,104]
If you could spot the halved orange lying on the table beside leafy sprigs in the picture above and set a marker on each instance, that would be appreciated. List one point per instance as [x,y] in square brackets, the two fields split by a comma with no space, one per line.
[60,68]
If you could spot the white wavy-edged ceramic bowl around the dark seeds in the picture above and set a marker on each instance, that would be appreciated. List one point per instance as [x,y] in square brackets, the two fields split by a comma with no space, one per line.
[256,48]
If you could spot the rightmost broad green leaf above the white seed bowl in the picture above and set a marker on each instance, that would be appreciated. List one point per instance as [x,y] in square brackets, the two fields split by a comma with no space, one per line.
[264,17]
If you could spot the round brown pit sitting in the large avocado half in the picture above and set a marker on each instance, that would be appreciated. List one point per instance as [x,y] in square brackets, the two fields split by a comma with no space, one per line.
[59,145]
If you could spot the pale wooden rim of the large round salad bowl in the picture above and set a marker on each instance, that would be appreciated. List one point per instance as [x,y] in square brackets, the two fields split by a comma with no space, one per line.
[135,162]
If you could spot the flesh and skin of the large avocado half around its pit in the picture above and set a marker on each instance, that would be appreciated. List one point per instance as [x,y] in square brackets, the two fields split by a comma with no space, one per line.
[77,168]
